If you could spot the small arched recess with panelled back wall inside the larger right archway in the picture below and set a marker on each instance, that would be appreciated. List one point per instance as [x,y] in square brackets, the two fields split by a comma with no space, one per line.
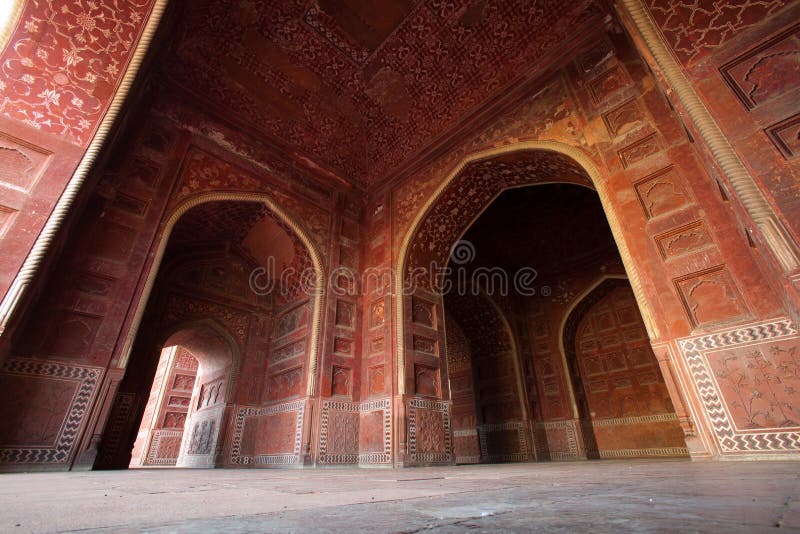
[622,402]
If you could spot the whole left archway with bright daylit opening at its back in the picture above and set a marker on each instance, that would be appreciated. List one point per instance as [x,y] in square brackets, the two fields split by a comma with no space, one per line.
[235,277]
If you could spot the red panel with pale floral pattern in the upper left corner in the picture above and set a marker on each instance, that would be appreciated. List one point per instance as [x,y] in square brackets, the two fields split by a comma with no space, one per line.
[65,60]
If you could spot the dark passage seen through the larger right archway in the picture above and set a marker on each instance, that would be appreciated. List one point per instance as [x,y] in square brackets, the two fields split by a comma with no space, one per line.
[555,365]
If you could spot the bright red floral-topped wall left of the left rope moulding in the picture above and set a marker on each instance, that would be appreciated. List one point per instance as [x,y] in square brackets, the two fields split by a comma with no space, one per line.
[60,69]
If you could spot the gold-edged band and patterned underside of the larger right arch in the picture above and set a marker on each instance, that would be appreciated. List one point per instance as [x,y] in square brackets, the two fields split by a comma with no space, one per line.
[451,210]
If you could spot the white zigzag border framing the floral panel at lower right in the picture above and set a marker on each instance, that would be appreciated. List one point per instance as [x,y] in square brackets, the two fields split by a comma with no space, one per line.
[694,351]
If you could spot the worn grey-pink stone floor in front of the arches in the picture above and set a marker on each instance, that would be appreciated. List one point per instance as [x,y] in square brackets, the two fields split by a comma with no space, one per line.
[601,496]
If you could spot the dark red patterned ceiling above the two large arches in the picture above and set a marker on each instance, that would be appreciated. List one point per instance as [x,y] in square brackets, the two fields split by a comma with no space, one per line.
[358,86]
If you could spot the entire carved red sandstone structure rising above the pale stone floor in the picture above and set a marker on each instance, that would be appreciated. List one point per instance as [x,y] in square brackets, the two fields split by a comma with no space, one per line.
[274,148]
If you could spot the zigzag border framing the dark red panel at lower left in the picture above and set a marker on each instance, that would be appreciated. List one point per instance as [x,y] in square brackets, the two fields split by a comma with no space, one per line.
[88,379]
